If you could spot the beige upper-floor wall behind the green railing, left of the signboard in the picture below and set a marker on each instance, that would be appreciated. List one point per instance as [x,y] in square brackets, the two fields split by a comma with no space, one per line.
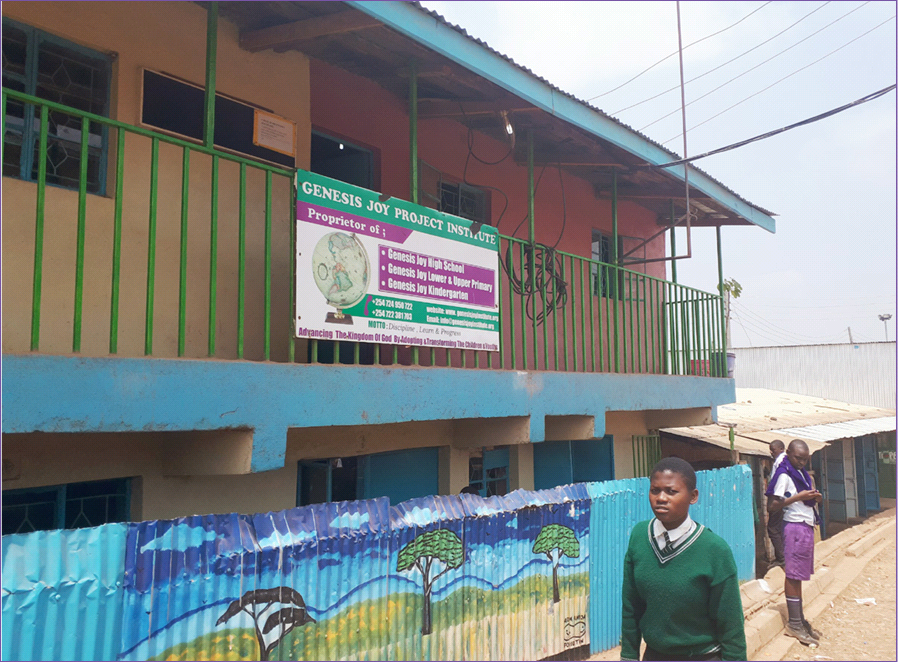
[168,37]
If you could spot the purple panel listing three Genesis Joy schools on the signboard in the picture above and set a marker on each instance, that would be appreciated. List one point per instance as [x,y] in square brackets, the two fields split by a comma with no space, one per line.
[417,272]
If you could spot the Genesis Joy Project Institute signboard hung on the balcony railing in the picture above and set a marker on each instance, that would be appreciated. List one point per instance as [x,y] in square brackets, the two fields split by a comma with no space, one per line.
[389,271]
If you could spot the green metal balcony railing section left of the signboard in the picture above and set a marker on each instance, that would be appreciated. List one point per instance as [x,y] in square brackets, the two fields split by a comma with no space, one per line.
[188,190]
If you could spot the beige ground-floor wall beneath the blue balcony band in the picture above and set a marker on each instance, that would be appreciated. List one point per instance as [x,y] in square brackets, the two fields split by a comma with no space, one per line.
[194,473]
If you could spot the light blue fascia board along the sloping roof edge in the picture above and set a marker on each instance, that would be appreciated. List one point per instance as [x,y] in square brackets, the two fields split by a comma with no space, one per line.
[416,24]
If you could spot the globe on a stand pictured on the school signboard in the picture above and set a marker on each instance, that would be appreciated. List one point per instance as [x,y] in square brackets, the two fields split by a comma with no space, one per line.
[341,272]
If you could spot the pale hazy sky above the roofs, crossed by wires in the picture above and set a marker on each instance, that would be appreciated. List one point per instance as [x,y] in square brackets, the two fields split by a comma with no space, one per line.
[830,269]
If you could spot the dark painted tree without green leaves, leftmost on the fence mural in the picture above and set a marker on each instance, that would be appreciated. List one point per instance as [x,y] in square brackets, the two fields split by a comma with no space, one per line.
[283,609]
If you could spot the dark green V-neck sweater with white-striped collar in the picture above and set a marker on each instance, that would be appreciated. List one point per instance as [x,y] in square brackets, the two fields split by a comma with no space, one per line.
[684,607]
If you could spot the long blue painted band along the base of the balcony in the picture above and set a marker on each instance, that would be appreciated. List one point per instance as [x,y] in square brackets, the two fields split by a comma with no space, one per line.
[65,394]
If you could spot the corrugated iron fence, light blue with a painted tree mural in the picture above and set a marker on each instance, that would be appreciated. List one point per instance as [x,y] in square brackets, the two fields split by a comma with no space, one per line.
[524,576]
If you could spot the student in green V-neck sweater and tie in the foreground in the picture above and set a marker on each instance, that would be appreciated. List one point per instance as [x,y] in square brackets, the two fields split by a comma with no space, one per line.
[680,592]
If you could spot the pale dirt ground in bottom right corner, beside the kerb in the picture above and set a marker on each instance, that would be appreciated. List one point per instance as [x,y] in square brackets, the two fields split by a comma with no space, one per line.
[854,631]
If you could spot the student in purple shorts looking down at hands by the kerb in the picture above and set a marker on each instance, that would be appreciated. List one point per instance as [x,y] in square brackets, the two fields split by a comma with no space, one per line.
[794,493]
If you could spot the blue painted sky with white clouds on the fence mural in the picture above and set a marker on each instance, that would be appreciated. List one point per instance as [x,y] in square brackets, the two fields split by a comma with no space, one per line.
[323,551]
